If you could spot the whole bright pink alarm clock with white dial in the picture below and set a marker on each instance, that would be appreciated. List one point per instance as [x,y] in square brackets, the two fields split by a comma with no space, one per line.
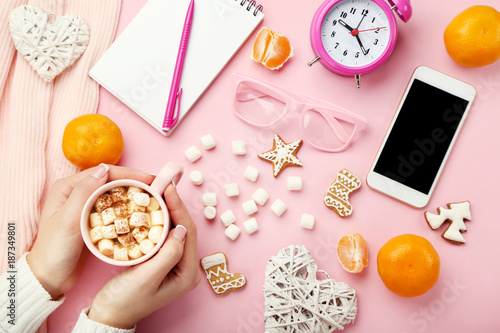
[355,37]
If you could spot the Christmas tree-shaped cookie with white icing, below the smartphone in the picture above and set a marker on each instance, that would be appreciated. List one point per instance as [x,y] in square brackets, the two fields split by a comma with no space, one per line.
[456,214]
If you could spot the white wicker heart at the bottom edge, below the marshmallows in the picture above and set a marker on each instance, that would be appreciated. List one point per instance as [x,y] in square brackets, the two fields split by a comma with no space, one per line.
[296,301]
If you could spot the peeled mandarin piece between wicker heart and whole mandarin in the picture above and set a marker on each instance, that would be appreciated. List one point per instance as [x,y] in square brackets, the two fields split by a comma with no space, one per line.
[352,252]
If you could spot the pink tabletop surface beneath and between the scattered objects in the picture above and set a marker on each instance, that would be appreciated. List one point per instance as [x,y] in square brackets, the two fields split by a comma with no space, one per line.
[466,296]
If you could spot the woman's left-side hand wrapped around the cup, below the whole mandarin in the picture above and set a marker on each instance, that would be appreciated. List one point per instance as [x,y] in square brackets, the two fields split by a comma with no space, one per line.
[56,258]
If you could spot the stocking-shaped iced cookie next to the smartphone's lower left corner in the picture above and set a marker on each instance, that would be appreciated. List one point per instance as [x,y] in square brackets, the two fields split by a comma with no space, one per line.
[337,196]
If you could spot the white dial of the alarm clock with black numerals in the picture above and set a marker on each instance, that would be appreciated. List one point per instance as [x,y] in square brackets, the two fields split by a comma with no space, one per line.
[355,33]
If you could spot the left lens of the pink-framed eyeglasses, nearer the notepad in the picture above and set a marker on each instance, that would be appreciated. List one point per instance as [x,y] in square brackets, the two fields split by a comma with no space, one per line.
[258,105]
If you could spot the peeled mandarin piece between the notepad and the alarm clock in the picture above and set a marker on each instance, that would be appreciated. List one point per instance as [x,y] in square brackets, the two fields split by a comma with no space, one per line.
[271,49]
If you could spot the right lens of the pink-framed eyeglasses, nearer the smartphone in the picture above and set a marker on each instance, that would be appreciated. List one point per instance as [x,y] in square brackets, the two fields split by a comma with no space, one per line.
[325,131]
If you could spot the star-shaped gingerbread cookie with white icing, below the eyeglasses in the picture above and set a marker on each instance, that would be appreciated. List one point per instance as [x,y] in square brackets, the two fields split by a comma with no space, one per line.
[282,155]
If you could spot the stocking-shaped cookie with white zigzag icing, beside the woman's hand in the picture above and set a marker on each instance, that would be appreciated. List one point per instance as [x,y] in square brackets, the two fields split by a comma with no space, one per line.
[221,281]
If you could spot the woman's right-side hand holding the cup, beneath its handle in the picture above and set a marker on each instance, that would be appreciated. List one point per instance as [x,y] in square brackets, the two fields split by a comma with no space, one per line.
[140,290]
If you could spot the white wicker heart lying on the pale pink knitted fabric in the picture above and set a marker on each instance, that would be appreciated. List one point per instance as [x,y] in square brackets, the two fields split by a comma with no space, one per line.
[50,48]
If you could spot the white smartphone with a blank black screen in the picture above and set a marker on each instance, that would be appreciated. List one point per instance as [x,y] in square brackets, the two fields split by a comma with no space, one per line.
[420,136]
